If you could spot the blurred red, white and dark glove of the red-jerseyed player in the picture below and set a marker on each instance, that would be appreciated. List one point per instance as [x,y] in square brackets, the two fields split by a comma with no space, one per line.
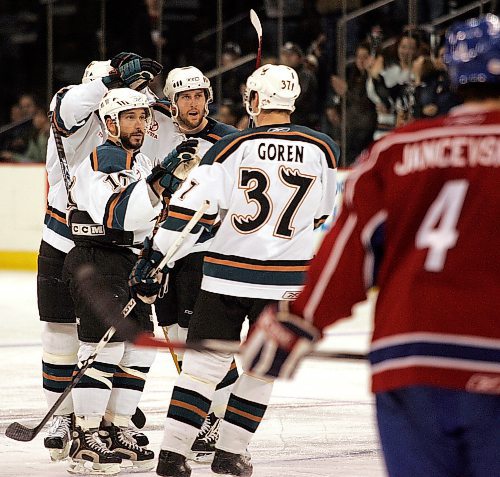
[277,343]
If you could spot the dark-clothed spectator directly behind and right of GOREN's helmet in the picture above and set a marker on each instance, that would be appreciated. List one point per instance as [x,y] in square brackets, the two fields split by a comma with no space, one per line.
[305,113]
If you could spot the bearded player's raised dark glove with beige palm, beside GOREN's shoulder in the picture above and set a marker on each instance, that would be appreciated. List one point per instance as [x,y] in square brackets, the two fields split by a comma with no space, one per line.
[174,169]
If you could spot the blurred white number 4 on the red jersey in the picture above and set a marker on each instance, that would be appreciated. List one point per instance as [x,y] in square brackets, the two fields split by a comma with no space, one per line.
[438,231]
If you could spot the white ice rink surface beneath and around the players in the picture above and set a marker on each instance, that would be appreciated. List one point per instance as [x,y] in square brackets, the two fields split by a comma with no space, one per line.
[320,424]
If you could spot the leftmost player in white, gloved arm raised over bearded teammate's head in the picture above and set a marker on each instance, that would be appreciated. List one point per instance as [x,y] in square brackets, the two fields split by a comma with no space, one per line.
[73,114]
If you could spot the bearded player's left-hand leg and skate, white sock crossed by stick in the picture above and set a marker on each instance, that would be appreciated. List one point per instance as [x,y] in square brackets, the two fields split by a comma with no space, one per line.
[89,454]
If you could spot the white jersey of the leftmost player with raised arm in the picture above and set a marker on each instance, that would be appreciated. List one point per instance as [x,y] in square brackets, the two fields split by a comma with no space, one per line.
[81,130]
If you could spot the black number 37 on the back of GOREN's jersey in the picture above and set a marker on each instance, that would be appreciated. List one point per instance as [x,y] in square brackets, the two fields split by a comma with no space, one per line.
[255,183]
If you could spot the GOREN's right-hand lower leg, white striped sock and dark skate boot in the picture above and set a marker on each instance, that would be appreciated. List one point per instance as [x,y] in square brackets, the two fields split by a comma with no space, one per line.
[245,410]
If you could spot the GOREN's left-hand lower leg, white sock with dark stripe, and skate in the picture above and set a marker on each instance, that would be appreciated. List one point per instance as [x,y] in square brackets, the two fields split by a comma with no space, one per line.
[189,406]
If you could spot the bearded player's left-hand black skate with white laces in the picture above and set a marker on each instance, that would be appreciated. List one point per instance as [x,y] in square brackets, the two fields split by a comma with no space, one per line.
[90,456]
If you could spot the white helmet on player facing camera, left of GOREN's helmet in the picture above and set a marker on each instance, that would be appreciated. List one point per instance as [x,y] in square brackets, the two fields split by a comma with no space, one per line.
[185,79]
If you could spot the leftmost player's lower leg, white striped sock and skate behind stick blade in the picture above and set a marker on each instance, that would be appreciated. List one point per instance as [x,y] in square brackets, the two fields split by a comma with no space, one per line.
[60,346]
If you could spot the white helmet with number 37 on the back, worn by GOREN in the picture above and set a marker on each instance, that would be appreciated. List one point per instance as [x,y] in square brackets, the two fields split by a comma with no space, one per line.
[278,87]
